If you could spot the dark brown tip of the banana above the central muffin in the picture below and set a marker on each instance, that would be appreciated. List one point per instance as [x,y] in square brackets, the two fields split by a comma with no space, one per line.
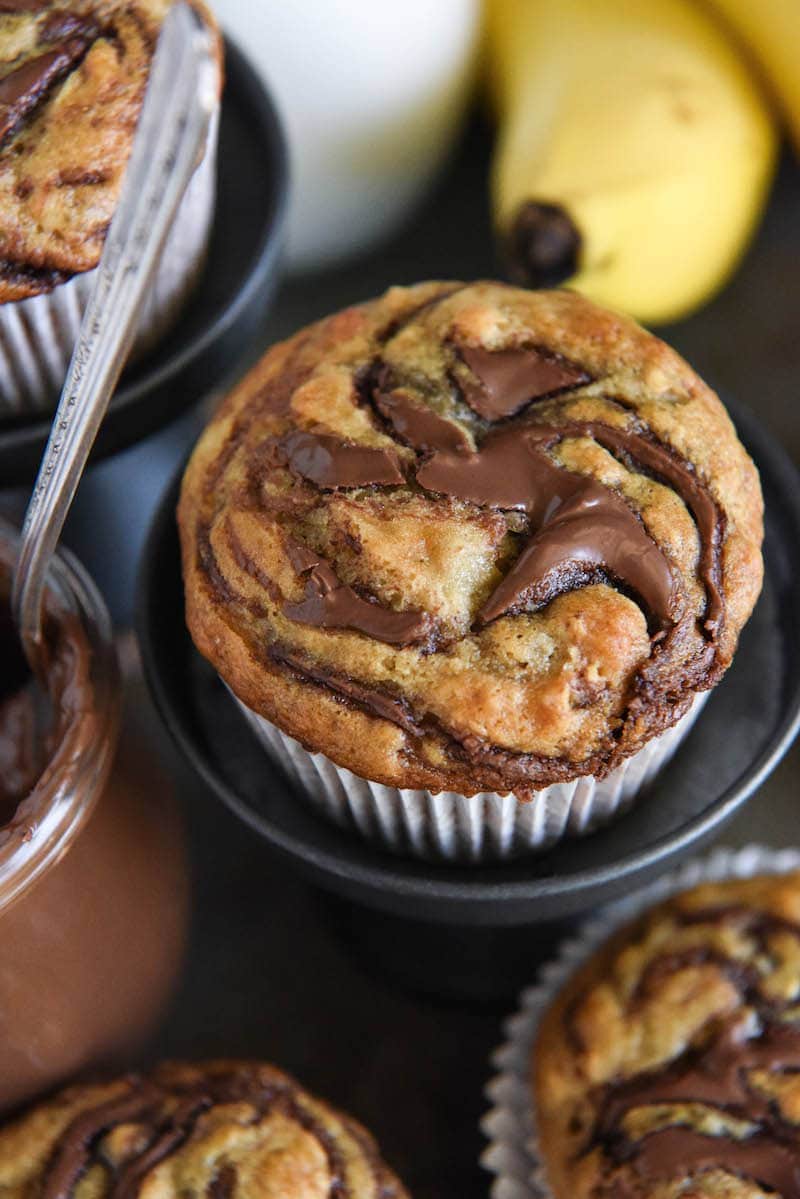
[543,246]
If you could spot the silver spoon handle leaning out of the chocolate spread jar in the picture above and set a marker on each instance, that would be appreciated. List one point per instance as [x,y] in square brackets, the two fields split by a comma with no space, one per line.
[170,143]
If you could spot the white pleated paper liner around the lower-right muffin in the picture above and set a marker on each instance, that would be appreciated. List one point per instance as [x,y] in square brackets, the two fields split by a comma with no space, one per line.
[510,1126]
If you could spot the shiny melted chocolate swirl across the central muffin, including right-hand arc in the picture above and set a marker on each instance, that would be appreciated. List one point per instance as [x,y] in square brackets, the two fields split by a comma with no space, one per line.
[581,531]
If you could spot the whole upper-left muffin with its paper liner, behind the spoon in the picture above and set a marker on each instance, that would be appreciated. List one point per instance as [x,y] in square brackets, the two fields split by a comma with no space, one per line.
[73,82]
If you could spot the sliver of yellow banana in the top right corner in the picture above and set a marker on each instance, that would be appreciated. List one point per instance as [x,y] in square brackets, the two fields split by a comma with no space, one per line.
[771,31]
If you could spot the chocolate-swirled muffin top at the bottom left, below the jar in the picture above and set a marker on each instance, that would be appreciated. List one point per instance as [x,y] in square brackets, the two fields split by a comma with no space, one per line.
[221,1130]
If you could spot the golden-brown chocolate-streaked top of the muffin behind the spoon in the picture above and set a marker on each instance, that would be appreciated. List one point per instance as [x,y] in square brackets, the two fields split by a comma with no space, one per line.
[73,81]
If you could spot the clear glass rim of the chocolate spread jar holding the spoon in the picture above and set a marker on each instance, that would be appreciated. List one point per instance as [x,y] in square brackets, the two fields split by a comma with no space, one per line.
[49,821]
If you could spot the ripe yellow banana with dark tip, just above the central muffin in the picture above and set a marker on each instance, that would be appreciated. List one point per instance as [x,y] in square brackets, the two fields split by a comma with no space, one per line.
[635,150]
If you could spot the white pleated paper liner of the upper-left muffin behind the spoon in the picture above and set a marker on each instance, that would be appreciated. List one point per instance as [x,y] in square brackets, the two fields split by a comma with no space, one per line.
[38,335]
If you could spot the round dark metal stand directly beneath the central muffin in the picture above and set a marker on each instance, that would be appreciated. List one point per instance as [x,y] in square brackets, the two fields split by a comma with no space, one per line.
[747,727]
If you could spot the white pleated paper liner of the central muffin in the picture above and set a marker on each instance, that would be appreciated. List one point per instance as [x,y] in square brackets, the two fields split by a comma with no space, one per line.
[453,828]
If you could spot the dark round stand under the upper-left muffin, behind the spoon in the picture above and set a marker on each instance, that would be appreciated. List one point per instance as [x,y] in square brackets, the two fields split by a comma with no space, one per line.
[227,310]
